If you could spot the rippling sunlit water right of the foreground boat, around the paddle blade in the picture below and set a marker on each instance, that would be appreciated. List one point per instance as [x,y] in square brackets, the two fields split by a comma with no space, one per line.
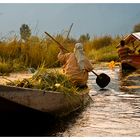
[114,111]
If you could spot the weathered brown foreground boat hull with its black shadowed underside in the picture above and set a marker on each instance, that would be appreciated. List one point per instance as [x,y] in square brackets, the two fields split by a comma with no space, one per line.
[33,112]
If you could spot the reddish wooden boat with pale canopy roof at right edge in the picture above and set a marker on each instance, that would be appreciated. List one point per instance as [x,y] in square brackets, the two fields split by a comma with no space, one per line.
[132,62]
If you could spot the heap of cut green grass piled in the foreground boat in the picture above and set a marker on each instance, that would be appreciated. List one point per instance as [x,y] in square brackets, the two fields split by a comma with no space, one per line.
[46,80]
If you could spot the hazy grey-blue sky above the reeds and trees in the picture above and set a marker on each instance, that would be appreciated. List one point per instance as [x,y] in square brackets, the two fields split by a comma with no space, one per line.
[95,19]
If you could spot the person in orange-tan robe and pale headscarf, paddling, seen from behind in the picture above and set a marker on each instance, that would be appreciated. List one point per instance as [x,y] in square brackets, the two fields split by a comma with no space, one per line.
[75,65]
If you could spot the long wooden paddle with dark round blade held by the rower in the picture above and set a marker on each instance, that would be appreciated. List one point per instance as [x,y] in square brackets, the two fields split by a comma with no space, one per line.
[102,79]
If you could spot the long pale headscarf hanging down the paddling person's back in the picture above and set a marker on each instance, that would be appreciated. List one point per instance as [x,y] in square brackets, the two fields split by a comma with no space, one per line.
[79,54]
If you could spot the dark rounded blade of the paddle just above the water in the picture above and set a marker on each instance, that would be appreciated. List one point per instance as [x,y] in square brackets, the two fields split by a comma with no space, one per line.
[102,80]
